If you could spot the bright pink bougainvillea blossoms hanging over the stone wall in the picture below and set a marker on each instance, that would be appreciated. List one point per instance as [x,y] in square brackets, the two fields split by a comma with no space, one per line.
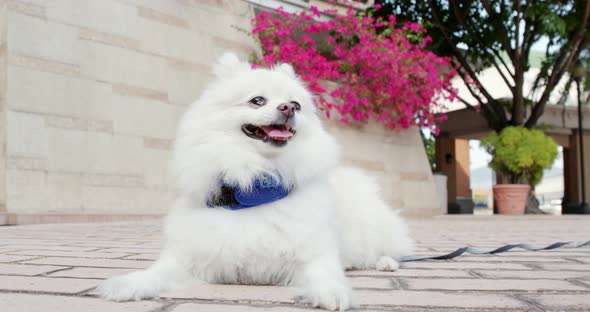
[382,76]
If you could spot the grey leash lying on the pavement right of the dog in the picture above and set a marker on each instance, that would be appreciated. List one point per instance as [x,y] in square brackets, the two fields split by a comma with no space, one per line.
[476,251]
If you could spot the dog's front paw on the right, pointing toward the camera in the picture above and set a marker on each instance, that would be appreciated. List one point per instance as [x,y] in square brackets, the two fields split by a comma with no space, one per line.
[330,298]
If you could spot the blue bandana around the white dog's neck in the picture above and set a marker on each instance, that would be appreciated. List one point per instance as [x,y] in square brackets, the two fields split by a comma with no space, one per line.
[265,189]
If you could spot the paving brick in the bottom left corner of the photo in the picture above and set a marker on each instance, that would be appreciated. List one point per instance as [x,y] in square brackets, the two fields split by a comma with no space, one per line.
[44,303]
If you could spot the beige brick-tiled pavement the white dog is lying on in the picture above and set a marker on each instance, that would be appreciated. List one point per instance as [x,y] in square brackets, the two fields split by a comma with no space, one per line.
[56,267]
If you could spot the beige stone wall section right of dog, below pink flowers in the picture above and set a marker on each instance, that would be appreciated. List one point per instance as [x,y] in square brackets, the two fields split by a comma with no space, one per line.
[398,160]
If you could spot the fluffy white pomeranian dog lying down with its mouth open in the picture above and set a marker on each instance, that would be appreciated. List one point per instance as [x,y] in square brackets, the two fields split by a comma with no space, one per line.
[261,199]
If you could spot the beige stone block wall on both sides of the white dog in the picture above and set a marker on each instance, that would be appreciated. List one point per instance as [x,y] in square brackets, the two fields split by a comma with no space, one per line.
[91,91]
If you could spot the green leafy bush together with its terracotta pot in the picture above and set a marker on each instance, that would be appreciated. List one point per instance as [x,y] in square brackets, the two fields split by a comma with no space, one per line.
[519,155]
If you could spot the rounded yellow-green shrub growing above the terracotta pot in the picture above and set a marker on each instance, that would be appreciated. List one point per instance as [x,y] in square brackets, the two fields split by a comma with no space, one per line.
[520,154]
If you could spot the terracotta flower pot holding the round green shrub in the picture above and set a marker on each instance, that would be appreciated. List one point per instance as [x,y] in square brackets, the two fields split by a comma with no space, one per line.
[511,198]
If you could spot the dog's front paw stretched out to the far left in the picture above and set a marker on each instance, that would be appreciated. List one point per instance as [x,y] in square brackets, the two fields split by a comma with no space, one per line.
[133,286]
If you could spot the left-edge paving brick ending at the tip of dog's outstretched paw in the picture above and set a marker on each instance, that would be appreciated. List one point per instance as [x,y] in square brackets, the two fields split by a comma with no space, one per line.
[45,284]
